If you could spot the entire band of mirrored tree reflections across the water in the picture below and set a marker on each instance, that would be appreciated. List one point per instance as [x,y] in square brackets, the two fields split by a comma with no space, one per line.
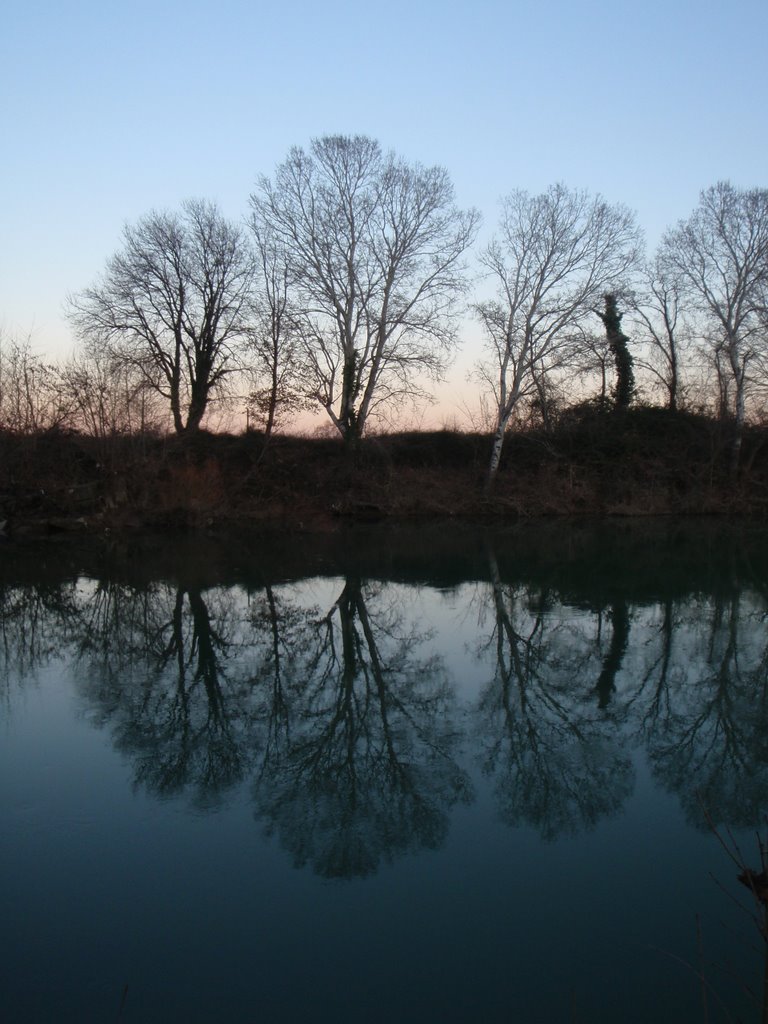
[346,723]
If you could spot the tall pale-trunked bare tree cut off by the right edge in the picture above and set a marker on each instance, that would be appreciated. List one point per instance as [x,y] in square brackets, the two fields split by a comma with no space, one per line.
[719,257]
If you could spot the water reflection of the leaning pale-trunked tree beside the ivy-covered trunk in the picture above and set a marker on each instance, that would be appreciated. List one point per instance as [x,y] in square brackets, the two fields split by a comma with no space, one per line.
[559,762]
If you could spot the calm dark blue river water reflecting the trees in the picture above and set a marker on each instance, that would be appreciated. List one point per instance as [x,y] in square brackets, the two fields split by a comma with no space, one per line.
[435,775]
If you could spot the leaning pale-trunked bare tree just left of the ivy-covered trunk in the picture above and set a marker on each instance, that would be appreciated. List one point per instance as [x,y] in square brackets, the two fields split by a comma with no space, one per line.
[554,258]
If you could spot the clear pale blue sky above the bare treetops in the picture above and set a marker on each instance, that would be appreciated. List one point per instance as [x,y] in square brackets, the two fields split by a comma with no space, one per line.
[109,111]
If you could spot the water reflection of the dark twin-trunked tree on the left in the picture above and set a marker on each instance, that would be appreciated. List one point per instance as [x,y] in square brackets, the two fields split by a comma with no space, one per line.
[157,662]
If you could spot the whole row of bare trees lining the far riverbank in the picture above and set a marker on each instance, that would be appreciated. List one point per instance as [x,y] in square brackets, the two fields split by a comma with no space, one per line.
[347,288]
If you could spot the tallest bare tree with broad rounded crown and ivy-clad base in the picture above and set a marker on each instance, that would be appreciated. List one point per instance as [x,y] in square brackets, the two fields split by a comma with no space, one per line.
[375,249]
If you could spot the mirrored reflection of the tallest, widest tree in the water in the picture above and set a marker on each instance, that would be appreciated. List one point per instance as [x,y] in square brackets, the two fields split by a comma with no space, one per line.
[367,771]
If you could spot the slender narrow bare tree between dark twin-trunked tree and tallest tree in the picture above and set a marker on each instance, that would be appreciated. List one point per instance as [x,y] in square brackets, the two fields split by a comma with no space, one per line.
[274,355]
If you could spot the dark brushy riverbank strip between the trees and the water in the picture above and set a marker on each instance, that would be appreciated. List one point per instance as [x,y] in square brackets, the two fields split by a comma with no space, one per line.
[645,462]
